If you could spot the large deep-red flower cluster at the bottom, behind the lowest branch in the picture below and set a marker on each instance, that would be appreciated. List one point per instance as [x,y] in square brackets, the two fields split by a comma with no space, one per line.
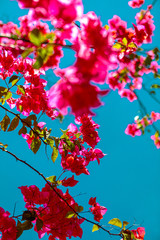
[47,205]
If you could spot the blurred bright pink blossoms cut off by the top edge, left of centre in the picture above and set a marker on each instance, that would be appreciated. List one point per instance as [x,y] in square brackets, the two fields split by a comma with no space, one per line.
[63,11]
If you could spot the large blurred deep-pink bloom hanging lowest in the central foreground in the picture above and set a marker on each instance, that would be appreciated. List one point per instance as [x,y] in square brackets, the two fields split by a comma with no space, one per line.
[81,97]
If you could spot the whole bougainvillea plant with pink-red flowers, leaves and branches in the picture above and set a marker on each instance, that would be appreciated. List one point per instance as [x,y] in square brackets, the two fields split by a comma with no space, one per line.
[110,55]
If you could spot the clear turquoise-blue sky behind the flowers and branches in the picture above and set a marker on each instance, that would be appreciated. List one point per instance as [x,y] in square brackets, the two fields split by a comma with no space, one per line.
[127,180]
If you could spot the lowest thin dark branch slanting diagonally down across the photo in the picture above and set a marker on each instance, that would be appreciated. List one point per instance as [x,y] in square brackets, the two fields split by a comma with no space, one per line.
[64,200]
